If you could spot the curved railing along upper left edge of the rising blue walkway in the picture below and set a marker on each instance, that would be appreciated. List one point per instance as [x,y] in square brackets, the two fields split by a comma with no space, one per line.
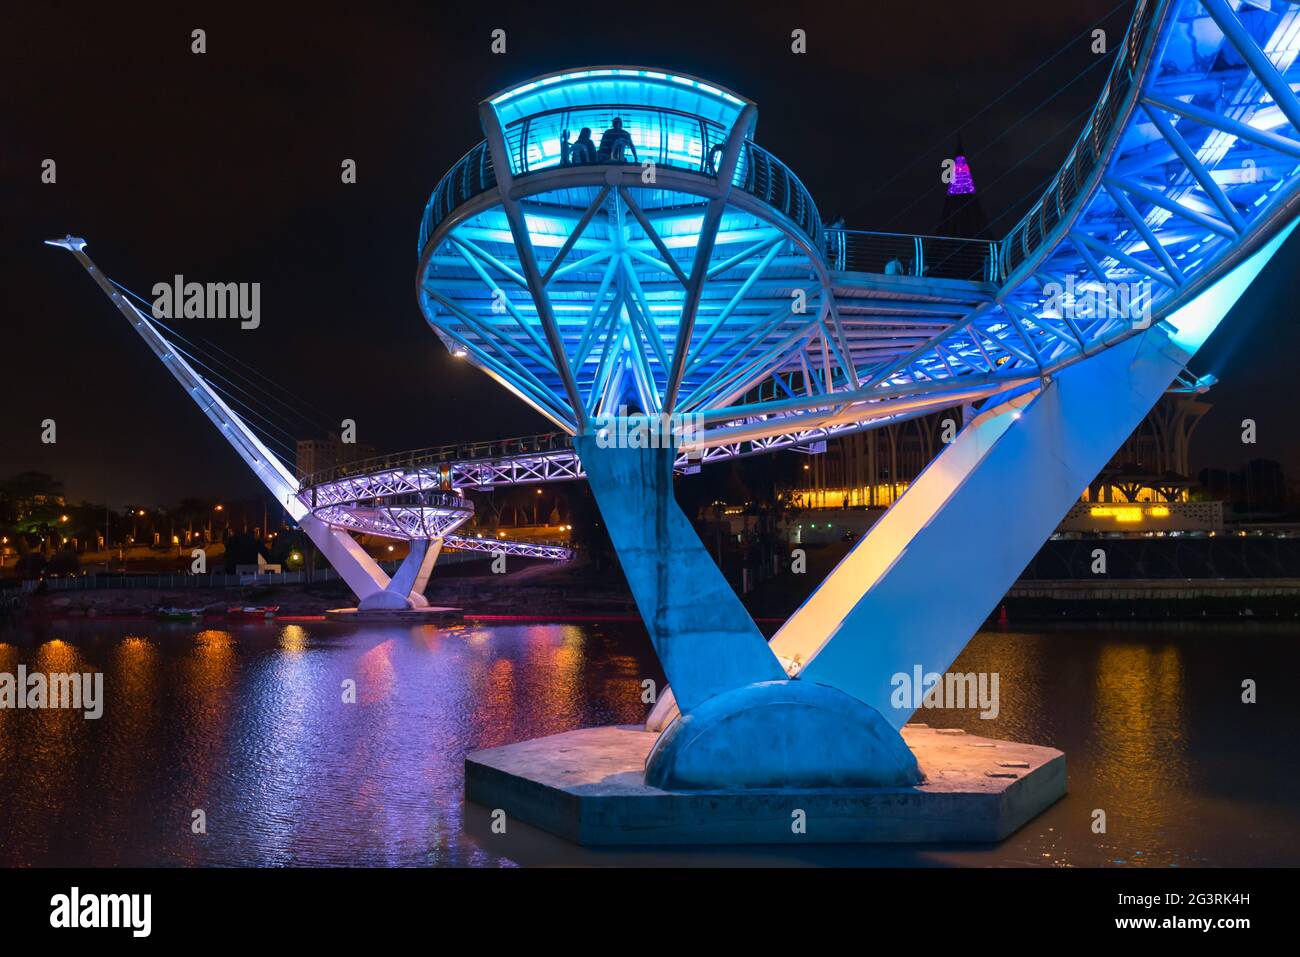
[1037,227]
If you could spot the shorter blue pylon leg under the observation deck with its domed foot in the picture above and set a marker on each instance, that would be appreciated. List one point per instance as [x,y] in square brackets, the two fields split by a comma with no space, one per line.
[743,724]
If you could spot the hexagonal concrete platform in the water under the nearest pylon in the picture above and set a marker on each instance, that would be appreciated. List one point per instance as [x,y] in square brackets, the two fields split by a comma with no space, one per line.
[590,787]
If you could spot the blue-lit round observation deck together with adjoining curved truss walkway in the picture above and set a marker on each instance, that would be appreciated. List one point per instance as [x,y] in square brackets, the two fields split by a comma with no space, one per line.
[714,289]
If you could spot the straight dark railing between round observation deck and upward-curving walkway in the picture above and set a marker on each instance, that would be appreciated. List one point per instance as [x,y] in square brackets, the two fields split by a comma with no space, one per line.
[895,254]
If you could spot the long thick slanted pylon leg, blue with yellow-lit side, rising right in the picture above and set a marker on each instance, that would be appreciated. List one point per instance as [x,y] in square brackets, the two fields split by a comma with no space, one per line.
[920,584]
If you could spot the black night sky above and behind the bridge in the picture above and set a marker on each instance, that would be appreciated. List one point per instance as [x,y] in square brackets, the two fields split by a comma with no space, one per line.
[226,167]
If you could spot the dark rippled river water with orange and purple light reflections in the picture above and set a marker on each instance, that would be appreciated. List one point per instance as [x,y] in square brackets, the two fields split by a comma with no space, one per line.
[250,725]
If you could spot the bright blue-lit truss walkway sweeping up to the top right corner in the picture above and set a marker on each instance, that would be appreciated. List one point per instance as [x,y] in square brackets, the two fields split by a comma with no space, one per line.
[1150,200]
